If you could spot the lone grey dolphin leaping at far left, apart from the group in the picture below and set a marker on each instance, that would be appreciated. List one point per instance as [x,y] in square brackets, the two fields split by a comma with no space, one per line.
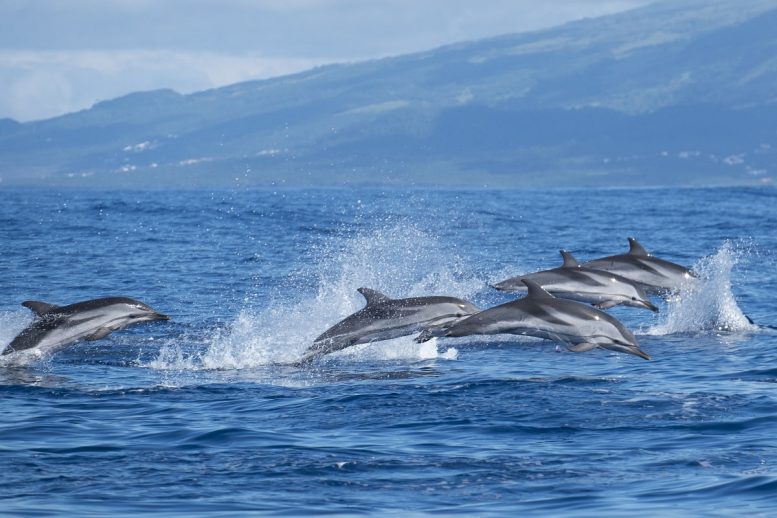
[58,326]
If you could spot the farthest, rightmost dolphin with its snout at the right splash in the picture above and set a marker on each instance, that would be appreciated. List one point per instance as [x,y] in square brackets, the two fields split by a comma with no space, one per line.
[656,275]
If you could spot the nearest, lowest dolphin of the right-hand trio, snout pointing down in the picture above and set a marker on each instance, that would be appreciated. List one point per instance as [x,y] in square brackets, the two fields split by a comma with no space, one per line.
[578,326]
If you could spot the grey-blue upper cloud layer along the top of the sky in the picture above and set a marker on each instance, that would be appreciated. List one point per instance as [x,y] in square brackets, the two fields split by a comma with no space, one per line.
[305,28]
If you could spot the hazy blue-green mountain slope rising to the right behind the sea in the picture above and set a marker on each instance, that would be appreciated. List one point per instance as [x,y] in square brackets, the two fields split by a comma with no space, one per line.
[681,92]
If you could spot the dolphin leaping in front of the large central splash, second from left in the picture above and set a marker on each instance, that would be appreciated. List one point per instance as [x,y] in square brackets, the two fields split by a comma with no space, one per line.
[384,318]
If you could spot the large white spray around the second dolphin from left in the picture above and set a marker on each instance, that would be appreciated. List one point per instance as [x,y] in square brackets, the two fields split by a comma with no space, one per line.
[401,261]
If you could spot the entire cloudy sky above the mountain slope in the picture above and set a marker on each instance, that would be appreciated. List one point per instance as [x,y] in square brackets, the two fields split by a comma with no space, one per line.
[60,56]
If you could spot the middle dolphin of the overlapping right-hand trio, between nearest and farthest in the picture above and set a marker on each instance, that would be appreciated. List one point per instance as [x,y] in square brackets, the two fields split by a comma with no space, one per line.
[571,281]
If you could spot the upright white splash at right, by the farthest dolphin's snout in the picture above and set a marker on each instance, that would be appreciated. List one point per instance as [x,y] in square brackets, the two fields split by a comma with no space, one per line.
[707,304]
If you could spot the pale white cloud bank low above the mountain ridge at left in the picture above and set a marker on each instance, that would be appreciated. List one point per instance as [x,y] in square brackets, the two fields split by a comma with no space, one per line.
[42,84]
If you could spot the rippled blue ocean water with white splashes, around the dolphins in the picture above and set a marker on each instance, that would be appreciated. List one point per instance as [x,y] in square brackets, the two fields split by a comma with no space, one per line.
[198,415]
